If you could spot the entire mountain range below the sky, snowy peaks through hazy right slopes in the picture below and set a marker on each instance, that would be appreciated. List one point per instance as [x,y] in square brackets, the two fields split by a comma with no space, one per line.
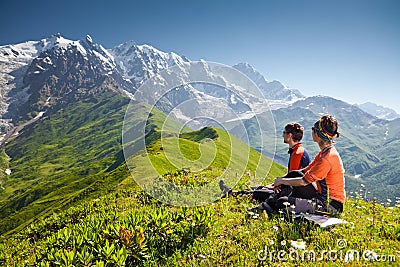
[43,77]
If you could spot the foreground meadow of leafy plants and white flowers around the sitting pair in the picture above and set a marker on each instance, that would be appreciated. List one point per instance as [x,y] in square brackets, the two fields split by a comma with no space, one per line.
[128,228]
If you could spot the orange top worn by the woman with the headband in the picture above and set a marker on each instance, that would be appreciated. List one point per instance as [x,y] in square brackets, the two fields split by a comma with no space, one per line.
[327,170]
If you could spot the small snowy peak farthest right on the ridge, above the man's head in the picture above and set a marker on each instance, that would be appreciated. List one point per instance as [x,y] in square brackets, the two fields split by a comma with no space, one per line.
[274,90]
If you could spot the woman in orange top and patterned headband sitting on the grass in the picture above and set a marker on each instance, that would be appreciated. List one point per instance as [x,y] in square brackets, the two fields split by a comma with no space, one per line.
[326,170]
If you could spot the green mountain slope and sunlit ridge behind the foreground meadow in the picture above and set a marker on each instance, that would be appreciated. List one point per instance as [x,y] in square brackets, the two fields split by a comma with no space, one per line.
[70,154]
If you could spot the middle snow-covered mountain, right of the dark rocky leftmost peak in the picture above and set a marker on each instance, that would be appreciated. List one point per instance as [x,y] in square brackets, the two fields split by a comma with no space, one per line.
[138,63]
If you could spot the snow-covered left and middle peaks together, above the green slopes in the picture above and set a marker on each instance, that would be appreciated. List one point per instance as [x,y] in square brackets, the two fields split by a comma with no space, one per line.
[38,74]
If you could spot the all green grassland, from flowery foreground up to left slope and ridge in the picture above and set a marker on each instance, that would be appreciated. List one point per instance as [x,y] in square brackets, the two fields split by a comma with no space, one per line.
[73,200]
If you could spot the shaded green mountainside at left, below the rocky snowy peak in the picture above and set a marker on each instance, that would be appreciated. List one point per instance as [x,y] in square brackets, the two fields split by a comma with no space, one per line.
[55,159]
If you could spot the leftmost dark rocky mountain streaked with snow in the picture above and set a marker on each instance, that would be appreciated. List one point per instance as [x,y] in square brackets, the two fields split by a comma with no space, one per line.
[37,75]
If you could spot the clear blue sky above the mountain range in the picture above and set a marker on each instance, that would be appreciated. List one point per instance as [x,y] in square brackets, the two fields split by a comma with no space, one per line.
[347,49]
